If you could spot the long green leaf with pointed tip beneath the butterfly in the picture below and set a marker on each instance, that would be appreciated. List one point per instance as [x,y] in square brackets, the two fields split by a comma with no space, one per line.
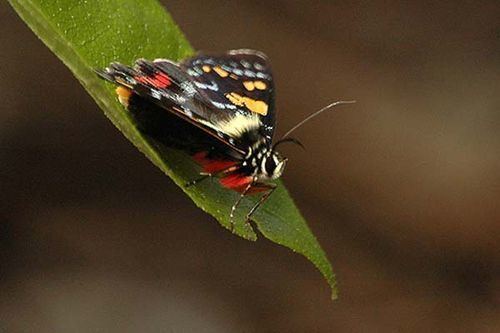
[91,34]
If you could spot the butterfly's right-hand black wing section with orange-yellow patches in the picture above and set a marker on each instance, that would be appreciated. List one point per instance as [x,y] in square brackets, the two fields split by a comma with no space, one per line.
[238,84]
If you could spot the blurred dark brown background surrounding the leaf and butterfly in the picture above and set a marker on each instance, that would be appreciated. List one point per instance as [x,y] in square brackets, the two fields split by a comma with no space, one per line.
[401,189]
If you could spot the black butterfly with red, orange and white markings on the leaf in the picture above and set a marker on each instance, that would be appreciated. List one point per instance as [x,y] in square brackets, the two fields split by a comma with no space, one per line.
[218,108]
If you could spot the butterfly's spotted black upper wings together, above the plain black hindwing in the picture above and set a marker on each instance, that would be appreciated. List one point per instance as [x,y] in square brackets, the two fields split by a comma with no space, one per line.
[228,107]
